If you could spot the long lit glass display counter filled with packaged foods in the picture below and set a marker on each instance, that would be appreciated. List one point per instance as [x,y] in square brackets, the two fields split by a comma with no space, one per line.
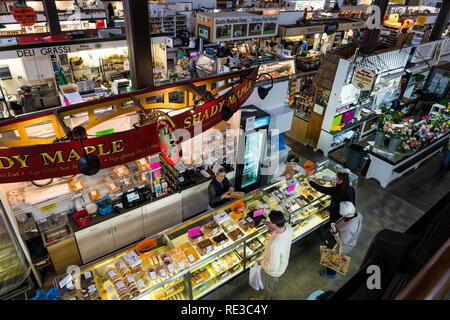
[195,257]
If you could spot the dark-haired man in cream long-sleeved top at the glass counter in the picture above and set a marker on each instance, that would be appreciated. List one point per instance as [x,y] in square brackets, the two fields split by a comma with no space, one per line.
[276,254]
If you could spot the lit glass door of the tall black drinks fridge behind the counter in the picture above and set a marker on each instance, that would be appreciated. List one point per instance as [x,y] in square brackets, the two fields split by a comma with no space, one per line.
[252,158]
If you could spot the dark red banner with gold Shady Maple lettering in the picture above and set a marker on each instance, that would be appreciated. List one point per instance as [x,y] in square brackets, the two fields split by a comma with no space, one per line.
[61,159]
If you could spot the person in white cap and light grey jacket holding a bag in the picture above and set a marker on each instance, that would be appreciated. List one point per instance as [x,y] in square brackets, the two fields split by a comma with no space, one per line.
[346,231]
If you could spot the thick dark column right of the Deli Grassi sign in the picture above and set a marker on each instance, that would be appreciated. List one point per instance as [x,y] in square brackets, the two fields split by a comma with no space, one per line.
[137,27]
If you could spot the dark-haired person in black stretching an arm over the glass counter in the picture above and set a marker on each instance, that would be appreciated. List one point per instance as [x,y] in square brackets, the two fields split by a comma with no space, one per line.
[341,192]
